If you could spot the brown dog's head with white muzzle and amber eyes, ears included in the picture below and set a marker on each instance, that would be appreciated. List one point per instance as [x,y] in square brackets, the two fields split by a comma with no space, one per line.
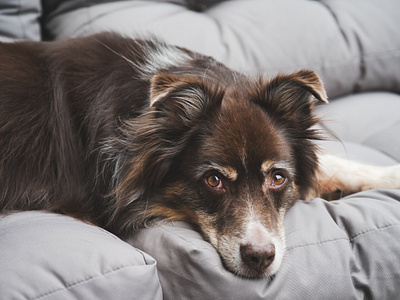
[231,158]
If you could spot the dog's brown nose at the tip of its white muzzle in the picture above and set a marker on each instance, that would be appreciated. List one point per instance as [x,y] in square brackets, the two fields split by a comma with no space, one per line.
[258,257]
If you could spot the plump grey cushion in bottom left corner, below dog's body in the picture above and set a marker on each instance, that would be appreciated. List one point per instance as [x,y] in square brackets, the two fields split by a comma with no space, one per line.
[49,256]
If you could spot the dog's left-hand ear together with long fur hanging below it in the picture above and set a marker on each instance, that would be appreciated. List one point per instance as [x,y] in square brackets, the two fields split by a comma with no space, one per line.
[178,107]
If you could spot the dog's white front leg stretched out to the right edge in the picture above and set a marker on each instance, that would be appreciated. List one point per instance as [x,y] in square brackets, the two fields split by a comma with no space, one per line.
[338,174]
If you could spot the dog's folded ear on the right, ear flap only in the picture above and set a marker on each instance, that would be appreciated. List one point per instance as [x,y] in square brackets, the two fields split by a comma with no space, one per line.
[292,97]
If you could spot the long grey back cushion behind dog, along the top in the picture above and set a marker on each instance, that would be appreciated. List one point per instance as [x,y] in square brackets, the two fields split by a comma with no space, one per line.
[354,45]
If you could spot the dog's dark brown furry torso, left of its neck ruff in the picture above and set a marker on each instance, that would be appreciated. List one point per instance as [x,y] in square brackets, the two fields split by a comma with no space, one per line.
[57,101]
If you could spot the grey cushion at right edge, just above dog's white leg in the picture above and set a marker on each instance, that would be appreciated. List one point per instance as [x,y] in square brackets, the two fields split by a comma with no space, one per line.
[370,119]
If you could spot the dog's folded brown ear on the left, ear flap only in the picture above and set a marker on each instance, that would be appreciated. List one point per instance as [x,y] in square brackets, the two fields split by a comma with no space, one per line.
[181,101]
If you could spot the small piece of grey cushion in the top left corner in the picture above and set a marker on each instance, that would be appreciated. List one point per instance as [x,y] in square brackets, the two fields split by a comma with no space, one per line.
[19,20]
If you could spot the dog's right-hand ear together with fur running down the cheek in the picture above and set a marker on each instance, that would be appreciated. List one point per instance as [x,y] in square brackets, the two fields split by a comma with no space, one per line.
[289,100]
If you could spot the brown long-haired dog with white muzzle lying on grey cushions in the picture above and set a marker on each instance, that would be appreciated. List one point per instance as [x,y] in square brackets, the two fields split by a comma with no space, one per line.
[125,132]
